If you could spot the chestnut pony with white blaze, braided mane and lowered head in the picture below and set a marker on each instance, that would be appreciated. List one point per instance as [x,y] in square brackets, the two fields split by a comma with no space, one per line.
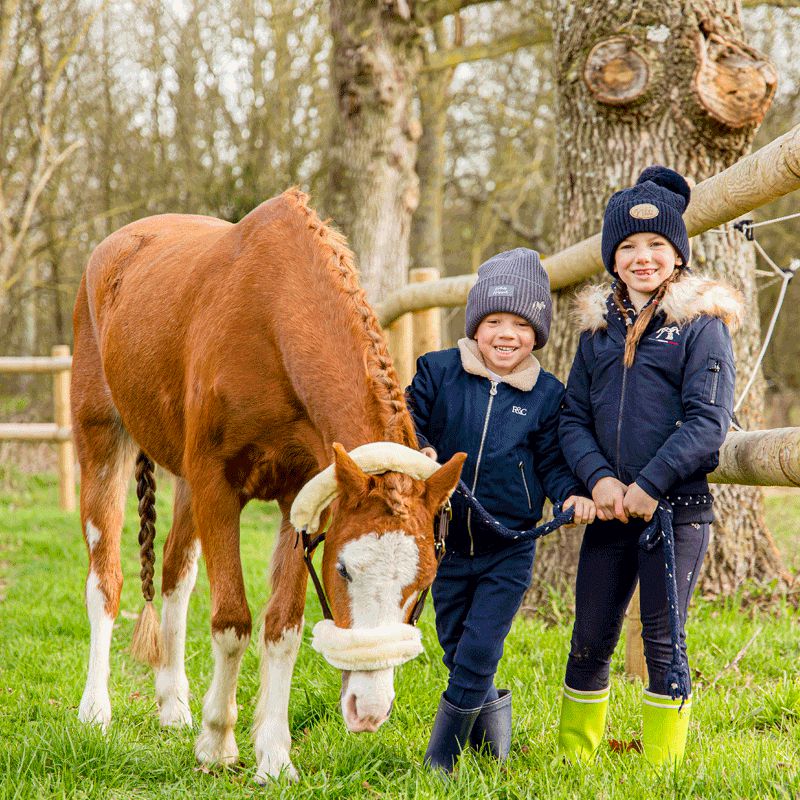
[236,356]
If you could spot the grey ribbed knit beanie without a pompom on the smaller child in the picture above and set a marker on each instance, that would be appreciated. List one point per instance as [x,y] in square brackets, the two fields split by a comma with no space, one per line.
[514,282]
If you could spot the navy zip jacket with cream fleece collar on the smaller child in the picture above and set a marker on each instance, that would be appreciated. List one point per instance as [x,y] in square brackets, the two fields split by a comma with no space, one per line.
[509,431]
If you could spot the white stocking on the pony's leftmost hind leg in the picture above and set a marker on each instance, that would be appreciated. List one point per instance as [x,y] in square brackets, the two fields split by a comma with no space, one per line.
[95,704]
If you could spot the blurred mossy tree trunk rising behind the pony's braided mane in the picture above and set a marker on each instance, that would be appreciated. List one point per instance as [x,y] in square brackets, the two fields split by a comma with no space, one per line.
[373,183]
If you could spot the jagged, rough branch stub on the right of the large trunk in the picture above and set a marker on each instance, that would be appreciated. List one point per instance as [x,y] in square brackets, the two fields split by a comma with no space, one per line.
[734,82]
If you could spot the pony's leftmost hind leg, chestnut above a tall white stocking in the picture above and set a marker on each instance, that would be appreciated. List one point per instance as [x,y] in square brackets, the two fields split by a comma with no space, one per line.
[106,457]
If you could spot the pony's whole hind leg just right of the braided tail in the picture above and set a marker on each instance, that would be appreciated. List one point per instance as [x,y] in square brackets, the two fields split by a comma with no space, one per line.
[181,553]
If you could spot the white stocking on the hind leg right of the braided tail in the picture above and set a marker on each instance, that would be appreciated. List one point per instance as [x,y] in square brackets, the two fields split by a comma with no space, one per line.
[172,686]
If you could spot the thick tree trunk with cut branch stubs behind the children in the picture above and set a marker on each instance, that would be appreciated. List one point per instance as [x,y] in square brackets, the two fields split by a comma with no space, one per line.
[665,86]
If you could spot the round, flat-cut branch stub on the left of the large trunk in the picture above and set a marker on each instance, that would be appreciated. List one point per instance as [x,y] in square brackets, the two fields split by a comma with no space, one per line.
[615,72]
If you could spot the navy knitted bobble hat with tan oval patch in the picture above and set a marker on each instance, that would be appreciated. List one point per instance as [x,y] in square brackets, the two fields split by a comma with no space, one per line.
[654,205]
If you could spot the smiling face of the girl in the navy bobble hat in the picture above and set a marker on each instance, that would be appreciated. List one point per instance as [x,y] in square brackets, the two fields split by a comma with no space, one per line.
[643,261]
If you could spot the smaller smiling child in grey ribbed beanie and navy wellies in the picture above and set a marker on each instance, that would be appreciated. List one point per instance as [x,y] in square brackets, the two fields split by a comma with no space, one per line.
[491,399]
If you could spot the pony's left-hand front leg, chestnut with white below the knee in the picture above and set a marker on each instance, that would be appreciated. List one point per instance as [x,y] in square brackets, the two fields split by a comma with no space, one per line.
[216,509]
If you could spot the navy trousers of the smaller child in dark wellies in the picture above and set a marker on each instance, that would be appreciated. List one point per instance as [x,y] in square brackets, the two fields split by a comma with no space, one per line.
[475,599]
